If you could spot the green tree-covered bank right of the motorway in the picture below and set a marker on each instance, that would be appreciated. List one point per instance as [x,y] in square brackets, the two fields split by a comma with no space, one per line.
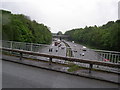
[104,37]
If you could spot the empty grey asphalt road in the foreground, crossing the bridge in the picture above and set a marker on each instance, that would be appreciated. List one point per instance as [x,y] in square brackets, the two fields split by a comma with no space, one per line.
[20,76]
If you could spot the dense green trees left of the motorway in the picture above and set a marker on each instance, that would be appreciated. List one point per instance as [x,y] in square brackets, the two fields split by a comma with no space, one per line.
[17,27]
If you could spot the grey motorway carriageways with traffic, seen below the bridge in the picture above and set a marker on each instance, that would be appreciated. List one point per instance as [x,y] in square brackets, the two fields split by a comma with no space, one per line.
[89,54]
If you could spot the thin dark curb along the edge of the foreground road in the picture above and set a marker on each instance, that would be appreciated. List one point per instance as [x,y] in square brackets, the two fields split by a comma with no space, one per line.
[71,73]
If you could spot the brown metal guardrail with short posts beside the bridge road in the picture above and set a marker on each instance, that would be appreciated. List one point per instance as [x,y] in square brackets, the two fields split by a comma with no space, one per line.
[91,63]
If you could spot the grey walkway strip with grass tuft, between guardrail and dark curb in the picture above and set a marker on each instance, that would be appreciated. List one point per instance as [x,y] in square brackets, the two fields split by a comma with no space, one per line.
[109,77]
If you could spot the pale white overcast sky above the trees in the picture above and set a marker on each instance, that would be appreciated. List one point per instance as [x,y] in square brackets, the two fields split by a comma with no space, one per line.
[62,15]
